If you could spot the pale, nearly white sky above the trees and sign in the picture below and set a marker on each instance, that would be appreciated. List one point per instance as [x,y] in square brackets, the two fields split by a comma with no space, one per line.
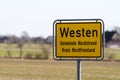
[36,17]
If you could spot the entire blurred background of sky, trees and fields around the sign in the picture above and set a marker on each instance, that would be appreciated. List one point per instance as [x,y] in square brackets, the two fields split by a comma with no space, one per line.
[26,38]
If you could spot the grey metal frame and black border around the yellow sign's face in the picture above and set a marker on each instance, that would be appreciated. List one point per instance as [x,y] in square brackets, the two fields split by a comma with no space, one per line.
[78,21]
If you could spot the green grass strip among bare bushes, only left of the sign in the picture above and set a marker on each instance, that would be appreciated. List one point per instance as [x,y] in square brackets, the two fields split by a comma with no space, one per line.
[27,48]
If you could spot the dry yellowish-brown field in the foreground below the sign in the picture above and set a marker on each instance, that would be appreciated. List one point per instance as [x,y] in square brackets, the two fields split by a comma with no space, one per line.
[16,69]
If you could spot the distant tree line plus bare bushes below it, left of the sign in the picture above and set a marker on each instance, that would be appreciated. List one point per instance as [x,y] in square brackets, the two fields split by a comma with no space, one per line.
[26,39]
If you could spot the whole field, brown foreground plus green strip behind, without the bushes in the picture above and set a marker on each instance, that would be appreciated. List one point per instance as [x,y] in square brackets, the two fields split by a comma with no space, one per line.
[23,69]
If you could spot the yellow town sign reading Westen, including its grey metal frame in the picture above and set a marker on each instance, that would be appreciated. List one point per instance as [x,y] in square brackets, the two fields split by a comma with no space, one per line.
[78,39]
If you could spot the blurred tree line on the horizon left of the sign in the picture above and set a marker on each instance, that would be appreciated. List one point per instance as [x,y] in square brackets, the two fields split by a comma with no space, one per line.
[25,38]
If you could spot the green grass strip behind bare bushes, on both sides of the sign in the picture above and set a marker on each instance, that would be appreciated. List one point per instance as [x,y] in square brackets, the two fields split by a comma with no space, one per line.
[36,48]
